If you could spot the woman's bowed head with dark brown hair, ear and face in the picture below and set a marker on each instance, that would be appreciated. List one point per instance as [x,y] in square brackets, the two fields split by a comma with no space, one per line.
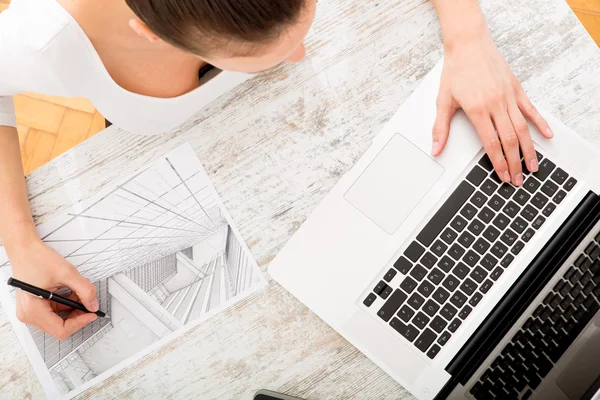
[240,35]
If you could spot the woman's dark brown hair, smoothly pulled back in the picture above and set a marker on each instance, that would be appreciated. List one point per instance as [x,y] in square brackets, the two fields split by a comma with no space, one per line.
[205,26]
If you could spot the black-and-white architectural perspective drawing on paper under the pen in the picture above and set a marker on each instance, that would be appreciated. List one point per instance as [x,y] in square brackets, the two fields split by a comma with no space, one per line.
[162,253]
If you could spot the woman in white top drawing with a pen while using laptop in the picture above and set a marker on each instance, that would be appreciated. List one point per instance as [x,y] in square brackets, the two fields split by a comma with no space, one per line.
[132,57]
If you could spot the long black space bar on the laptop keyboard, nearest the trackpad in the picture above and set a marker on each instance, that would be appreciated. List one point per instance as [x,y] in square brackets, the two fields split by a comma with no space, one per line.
[446,212]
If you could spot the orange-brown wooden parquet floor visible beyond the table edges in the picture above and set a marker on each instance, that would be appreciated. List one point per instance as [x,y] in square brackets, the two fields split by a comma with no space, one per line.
[49,126]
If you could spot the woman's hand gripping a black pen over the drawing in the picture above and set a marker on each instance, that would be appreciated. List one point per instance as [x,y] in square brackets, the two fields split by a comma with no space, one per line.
[36,263]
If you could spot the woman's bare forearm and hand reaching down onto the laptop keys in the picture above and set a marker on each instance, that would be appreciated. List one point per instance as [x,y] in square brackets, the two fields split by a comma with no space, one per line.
[477,78]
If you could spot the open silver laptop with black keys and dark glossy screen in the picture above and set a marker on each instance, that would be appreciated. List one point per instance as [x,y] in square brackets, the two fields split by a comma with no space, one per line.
[455,284]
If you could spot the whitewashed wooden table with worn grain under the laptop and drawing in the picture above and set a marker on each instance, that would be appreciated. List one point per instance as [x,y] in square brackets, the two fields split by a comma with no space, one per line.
[273,148]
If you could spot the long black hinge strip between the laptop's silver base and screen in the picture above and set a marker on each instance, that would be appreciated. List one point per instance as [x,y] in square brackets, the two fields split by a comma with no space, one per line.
[535,277]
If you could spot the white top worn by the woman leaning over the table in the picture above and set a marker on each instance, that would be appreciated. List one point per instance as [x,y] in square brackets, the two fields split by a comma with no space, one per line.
[44,50]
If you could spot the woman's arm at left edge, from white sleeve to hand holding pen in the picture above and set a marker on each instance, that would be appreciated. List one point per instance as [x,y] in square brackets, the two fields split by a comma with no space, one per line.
[31,260]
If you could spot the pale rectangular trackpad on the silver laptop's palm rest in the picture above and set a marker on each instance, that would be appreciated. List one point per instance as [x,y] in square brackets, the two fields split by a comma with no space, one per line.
[394,183]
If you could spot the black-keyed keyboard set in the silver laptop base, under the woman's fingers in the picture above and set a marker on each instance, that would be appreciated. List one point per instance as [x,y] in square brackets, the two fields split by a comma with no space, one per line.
[464,249]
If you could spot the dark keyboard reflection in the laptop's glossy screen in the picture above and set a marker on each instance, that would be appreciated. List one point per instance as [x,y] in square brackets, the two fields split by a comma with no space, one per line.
[554,325]
